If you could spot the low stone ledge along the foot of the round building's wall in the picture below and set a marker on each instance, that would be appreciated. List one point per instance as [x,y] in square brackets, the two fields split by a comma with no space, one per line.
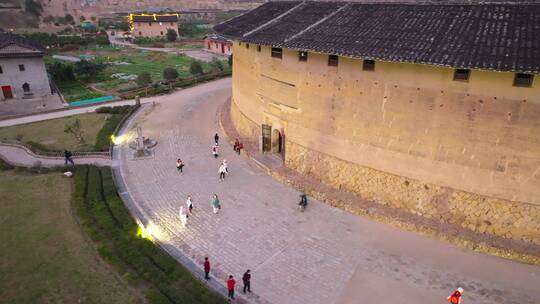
[482,247]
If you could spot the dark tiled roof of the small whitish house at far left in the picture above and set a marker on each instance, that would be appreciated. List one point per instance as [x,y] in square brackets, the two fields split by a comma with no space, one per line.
[27,47]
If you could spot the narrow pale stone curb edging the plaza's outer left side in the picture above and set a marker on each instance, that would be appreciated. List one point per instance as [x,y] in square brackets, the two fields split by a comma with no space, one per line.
[216,283]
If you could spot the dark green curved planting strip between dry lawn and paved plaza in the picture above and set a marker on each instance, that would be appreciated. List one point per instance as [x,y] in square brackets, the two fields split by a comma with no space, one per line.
[110,225]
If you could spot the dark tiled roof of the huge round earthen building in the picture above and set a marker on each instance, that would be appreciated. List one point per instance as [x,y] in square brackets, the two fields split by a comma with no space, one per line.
[494,36]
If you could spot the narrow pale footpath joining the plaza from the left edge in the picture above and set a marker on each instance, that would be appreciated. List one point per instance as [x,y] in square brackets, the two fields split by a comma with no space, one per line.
[20,156]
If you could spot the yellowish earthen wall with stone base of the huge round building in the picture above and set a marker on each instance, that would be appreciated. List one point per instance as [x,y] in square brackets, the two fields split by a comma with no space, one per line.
[385,134]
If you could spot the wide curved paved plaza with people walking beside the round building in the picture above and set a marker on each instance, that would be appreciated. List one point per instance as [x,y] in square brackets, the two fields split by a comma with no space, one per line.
[323,255]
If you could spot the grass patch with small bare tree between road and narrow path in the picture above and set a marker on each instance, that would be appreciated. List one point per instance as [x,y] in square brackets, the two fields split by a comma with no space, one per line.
[51,136]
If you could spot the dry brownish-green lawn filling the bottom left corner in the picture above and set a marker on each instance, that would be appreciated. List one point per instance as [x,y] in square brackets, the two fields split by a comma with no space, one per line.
[45,257]
